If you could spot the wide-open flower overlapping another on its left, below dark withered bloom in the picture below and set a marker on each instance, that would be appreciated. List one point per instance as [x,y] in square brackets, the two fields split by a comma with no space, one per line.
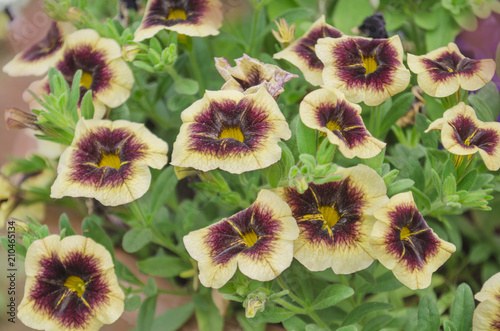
[368,70]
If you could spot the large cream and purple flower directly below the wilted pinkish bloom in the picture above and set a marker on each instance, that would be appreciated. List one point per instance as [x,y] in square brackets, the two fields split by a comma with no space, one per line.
[231,131]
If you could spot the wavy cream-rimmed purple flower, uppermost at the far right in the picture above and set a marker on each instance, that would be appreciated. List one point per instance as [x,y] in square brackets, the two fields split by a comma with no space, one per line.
[445,70]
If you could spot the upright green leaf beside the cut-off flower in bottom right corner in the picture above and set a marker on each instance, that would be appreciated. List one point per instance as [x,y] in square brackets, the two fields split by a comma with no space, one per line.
[463,308]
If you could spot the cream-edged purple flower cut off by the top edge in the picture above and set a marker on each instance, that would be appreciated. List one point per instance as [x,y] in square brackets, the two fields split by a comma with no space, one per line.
[196,18]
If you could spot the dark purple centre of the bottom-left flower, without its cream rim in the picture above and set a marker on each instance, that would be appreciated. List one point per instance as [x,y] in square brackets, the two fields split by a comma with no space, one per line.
[70,291]
